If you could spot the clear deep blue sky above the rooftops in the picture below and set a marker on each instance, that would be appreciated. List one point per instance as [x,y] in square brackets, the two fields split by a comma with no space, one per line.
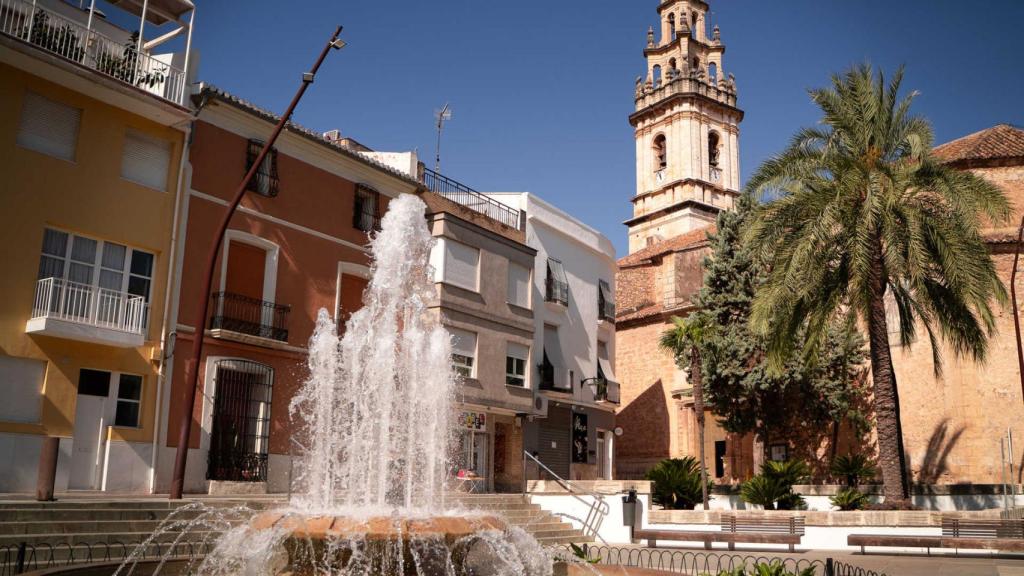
[541,90]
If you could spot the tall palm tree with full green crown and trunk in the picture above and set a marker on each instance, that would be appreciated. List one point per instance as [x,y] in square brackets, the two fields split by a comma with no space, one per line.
[865,214]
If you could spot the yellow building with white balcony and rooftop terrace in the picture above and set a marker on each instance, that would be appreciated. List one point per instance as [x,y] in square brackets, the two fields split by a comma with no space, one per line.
[93,132]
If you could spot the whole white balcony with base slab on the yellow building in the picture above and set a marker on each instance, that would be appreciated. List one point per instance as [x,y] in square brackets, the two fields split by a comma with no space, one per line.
[89,314]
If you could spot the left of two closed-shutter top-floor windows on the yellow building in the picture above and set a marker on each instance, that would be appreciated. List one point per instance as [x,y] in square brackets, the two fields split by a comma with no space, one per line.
[50,127]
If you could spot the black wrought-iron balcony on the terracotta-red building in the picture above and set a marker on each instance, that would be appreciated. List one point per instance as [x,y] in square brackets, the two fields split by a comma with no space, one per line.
[248,320]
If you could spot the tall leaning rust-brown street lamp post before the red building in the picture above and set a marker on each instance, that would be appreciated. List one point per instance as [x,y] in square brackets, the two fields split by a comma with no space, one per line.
[192,365]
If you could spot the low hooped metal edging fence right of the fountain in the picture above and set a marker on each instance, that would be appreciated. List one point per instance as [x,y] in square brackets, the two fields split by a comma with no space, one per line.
[687,562]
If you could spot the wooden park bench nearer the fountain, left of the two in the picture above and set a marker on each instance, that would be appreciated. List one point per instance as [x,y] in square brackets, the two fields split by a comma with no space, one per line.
[754,530]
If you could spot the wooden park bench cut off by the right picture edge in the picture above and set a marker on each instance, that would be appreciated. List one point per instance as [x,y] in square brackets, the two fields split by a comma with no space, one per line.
[957,533]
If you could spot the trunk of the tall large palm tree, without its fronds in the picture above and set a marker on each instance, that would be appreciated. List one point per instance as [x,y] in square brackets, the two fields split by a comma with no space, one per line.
[886,408]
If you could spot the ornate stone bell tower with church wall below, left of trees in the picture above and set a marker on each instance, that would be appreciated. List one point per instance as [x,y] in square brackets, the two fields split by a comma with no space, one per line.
[688,151]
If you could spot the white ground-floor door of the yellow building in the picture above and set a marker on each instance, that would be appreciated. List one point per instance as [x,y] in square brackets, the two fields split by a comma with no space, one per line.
[91,410]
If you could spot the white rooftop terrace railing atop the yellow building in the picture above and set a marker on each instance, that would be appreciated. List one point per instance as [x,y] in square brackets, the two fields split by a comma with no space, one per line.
[69,39]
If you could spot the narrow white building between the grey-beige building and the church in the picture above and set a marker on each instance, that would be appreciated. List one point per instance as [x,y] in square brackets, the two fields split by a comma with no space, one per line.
[574,343]
